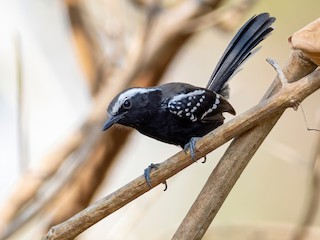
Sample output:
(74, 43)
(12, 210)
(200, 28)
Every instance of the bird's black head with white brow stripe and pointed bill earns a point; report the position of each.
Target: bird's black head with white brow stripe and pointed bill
(131, 107)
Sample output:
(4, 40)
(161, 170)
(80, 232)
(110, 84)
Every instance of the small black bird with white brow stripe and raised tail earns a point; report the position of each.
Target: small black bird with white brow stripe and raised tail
(180, 113)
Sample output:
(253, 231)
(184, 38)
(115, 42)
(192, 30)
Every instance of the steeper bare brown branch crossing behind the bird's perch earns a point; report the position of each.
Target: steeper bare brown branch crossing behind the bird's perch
(232, 163)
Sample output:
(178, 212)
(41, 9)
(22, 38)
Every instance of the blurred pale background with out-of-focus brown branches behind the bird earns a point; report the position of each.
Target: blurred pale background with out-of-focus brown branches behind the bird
(62, 62)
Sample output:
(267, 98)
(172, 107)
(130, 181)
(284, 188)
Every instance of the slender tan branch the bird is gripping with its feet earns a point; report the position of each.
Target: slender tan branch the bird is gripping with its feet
(264, 111)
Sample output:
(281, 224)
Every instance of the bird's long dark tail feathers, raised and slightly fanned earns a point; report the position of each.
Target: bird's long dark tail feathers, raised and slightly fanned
(240, 48)
